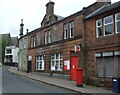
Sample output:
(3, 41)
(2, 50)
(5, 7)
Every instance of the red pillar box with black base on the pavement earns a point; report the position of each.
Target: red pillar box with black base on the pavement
(79, 81)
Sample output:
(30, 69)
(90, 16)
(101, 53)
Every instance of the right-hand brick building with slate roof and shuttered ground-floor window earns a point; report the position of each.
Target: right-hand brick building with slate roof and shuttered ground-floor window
(103, 45)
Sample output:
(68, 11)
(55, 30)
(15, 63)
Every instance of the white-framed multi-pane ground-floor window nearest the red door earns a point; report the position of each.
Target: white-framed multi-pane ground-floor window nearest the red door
(56, 62)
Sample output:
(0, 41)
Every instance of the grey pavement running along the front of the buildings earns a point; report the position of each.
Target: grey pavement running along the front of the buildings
(63, 82)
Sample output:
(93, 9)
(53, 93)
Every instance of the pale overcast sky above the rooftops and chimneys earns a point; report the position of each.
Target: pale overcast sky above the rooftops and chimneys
(33, 11)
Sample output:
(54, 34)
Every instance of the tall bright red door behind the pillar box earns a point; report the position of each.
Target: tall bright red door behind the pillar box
(73, 65)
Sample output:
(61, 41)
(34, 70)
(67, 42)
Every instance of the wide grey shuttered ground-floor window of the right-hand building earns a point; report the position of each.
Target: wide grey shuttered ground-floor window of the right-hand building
(106, 64)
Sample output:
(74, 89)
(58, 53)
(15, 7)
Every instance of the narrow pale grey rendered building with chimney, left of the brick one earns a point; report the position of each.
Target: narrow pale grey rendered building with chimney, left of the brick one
(23, 48)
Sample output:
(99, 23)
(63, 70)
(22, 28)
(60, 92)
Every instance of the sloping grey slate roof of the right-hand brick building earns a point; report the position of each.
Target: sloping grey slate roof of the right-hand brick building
(103, 9)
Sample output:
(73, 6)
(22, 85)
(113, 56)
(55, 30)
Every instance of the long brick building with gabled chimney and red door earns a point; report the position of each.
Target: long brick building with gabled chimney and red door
(51, 47)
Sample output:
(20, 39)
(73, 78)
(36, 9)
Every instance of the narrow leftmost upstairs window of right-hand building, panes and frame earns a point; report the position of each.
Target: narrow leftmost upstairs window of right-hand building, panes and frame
(99, 28)
